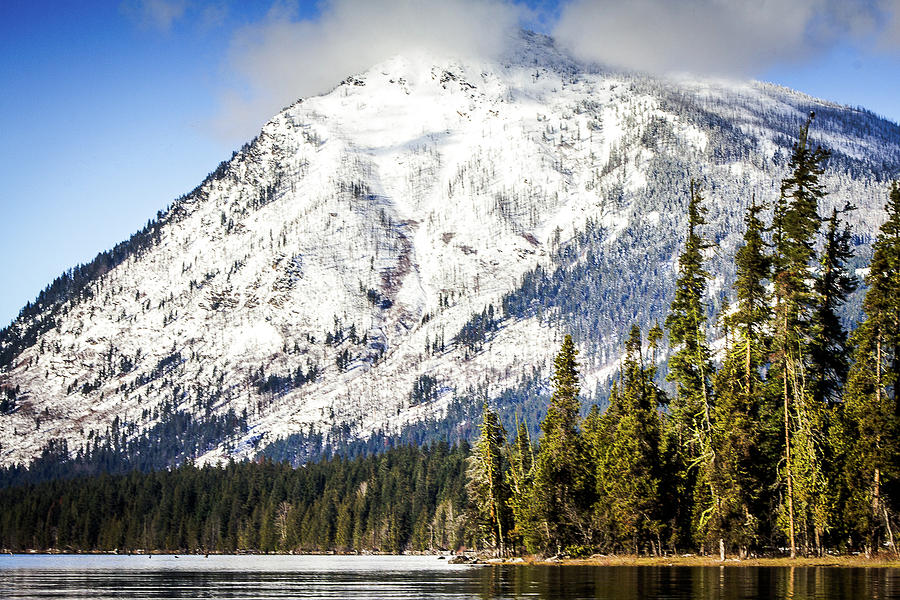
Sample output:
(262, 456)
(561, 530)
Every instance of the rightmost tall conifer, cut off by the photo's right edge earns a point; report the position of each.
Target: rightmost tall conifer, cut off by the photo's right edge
(872, 406)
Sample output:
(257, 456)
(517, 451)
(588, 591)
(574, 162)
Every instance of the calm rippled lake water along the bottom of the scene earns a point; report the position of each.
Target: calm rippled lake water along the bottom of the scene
(361, 577)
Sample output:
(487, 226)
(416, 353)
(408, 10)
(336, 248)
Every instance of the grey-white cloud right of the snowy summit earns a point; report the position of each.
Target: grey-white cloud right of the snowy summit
(734, 37)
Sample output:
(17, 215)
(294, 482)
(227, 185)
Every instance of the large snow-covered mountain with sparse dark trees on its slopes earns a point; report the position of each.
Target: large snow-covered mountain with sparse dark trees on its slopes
(426, 231)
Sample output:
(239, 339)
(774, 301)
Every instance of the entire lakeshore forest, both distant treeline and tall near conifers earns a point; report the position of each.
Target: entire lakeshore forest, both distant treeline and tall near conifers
(781, 435)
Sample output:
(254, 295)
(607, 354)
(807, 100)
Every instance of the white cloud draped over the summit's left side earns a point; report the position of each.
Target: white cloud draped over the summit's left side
(284, 58)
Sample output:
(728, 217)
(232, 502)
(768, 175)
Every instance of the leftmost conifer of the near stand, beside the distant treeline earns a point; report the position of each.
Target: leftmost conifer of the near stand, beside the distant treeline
(488, 491)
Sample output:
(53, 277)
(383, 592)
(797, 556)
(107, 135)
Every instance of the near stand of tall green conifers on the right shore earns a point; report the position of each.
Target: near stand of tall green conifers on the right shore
(787, 437)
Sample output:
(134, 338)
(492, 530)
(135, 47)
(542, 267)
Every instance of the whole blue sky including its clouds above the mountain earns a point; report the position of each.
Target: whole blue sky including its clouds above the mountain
(110, 110)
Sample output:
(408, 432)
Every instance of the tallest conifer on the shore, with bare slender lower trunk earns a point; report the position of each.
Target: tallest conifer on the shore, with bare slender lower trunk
(796, 224)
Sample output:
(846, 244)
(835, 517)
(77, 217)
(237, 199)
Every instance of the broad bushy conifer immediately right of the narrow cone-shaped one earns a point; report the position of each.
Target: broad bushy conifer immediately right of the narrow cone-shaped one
(627, 445)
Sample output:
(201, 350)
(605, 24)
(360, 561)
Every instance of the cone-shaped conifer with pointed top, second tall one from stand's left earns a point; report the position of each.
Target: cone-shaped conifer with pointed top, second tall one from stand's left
(561, 473)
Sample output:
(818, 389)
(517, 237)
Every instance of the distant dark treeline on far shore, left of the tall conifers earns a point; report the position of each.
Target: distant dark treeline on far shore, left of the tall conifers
(405, 499)
